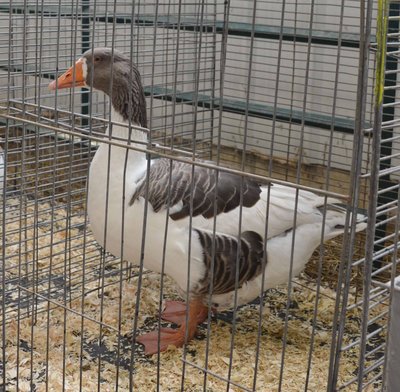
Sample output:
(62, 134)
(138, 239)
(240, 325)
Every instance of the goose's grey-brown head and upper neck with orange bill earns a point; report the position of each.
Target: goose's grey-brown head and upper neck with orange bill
(111, 72)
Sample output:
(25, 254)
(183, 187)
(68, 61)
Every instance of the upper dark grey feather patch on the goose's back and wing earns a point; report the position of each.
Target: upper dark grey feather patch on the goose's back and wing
(172, 182)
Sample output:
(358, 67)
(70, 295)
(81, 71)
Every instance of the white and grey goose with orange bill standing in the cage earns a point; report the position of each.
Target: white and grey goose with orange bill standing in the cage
(167, 191)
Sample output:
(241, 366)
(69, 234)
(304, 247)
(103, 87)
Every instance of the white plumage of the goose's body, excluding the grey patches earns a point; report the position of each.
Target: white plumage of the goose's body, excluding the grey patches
(282, 207)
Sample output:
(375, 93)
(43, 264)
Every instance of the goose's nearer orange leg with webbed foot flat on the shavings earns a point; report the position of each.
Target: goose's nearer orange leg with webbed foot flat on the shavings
(175, 337)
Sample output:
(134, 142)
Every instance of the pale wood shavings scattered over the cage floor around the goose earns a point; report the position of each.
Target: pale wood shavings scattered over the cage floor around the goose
(87, 338)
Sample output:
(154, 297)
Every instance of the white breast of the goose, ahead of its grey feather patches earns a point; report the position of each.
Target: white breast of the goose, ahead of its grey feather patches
(114, 222)
